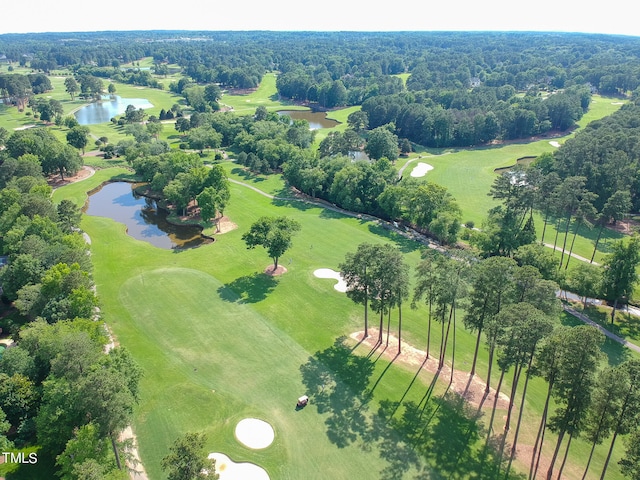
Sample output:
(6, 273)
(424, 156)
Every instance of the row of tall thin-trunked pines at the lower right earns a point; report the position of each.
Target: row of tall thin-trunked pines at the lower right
(512, 309)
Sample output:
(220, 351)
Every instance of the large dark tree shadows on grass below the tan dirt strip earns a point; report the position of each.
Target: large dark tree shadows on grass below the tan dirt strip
(439, 437)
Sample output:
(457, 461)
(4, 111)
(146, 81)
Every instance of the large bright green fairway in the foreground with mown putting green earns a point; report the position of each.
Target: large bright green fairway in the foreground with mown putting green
(219, 341)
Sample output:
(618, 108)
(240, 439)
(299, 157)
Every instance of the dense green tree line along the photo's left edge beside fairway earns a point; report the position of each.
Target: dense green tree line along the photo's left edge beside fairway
(58, 389)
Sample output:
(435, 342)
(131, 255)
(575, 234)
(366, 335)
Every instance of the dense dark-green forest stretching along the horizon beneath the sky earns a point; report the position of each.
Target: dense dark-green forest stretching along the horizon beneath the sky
(462, 89)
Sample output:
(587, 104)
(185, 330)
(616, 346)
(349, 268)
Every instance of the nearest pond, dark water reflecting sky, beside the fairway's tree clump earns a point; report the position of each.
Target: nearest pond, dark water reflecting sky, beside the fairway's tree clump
(143, 219)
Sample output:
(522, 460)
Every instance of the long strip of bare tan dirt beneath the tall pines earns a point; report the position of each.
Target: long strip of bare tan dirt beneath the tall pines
(471, 389)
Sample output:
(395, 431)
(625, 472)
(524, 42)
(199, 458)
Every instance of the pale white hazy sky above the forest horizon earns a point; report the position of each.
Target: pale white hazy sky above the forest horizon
(616, 17)
